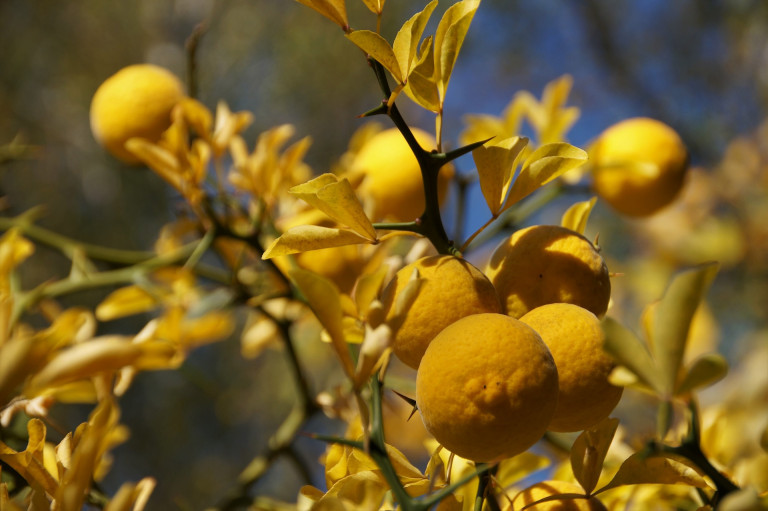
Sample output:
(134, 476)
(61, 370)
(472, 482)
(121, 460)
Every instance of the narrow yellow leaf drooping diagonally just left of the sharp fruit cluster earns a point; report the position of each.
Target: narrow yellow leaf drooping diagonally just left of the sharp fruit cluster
(324, 299)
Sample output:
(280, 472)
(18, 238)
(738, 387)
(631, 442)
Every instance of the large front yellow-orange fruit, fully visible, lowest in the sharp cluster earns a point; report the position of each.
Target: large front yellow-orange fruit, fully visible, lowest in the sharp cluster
(487, 387)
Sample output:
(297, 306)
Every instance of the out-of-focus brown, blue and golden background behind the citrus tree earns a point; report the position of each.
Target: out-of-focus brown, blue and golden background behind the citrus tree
(698, 65)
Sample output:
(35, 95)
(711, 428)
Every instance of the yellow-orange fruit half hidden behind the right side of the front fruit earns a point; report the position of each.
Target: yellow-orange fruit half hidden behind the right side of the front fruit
(575, 339)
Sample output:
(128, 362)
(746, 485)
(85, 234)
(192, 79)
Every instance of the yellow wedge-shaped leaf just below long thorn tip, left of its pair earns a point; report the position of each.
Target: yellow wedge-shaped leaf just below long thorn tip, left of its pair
(496, 164)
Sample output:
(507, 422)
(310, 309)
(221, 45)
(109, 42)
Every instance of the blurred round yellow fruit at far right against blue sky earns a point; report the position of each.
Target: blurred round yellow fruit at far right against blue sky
(639, 166)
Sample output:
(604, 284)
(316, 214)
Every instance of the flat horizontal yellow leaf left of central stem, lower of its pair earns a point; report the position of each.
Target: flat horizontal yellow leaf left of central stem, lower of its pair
(305, 238)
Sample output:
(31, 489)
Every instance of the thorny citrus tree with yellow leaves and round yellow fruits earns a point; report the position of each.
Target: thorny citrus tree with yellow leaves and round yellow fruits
(514, 359)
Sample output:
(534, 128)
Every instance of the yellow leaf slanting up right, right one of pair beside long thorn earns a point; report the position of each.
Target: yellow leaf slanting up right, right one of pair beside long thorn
(542, 166)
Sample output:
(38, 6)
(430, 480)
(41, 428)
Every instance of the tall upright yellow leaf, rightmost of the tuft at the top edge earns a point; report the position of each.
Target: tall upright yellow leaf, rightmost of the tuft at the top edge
(449, 38)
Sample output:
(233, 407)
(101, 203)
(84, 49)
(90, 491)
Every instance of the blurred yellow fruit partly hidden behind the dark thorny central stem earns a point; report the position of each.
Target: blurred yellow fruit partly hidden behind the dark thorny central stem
(392, 177)
